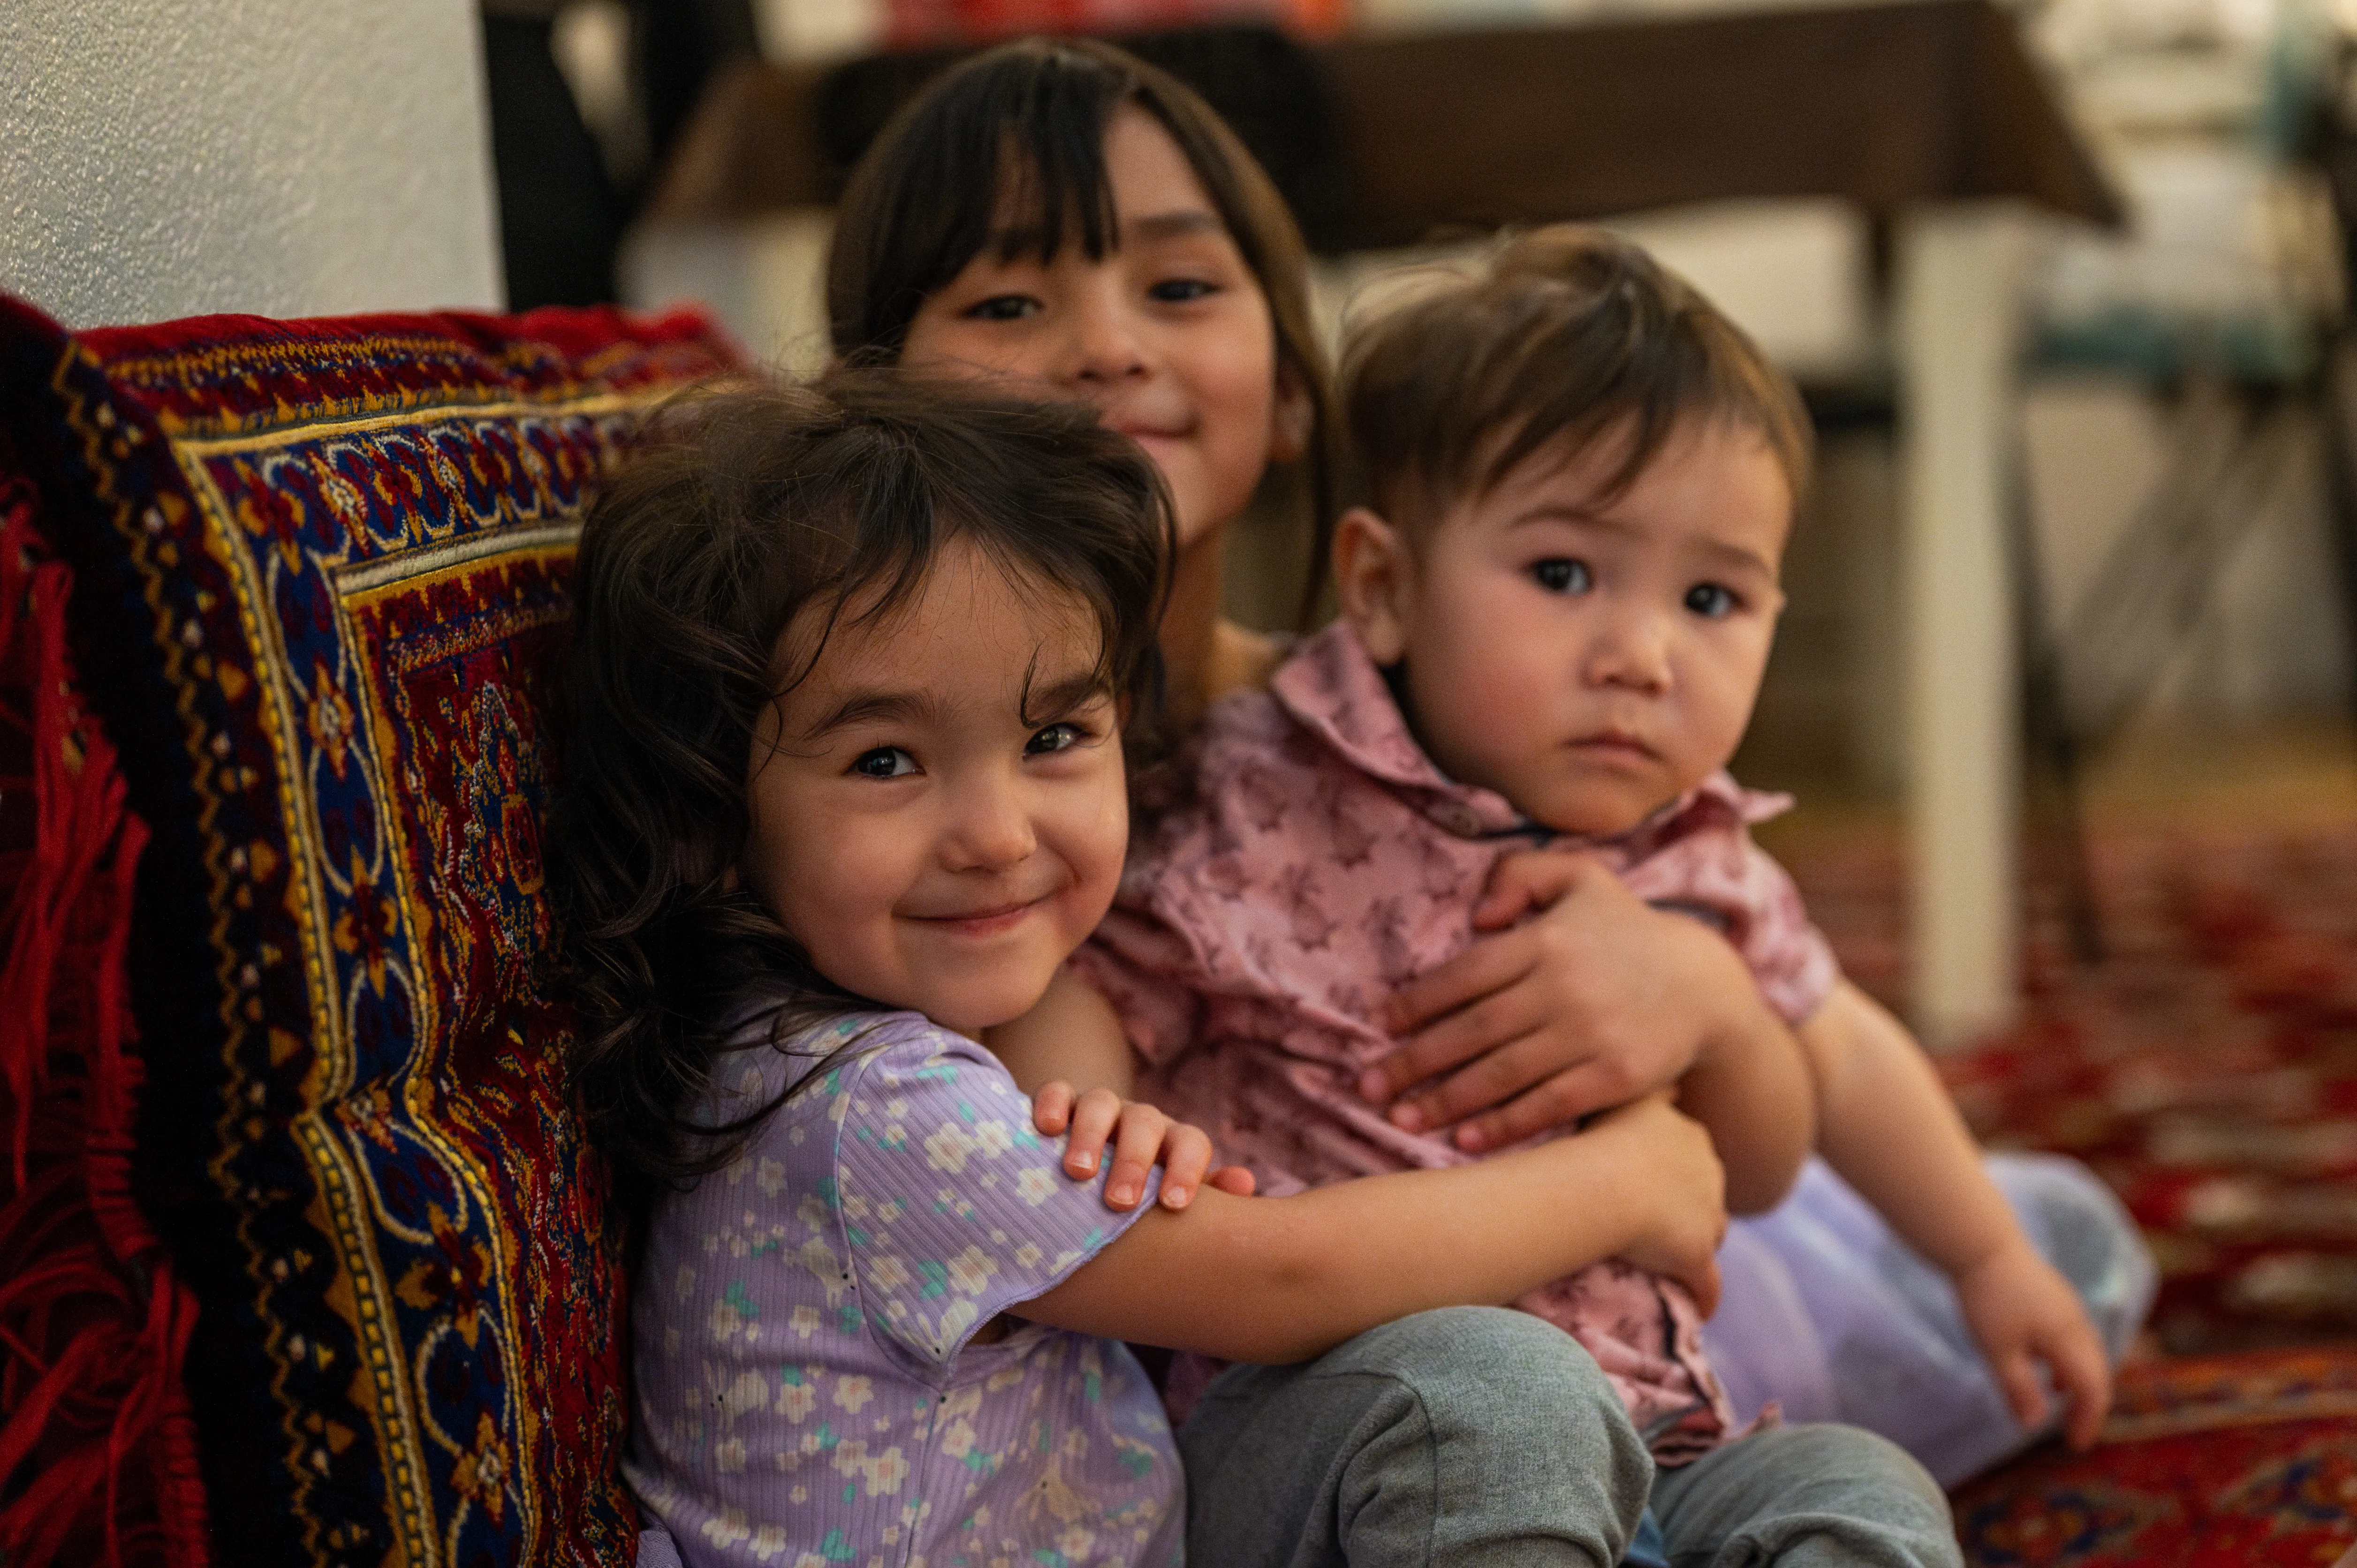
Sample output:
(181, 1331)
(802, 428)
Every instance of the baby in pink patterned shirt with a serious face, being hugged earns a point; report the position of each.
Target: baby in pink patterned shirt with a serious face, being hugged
(1554, 624)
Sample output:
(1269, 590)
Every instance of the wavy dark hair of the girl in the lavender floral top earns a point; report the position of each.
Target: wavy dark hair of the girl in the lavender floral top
(741, 513)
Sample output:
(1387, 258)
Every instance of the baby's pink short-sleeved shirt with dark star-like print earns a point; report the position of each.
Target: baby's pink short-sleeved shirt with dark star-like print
(1316, 867)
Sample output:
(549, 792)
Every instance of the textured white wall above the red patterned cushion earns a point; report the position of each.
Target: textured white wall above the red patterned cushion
(275, 157)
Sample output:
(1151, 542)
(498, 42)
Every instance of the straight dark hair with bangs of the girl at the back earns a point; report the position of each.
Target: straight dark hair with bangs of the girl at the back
(1034, 117)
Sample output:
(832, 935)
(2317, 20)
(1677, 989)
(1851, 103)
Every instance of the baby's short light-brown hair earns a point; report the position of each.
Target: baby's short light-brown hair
(1564, 338)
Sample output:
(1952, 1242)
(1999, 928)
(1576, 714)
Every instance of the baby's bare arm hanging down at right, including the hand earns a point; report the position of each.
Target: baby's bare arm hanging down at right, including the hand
(1887, 1124)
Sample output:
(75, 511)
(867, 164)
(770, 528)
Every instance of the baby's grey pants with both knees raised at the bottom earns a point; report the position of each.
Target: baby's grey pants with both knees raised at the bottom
(1479, 1437)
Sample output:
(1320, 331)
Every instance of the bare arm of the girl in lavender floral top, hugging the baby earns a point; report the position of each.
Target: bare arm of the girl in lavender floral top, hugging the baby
(1286, 1279)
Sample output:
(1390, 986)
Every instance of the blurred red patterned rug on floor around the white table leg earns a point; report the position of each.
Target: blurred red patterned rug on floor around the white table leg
(2207, 1067)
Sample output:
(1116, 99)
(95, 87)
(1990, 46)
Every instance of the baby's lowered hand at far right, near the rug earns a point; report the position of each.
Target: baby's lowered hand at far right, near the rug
(2023, 1312)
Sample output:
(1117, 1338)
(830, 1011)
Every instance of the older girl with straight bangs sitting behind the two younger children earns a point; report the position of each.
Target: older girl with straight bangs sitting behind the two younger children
(1071, 220)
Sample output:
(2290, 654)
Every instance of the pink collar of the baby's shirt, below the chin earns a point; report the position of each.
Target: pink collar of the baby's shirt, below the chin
(1335, 690)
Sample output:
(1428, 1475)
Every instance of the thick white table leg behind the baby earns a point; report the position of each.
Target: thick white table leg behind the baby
(1957, 341)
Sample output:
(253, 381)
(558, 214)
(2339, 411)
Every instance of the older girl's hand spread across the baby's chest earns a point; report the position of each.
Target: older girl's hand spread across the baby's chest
(1590, 1006)
